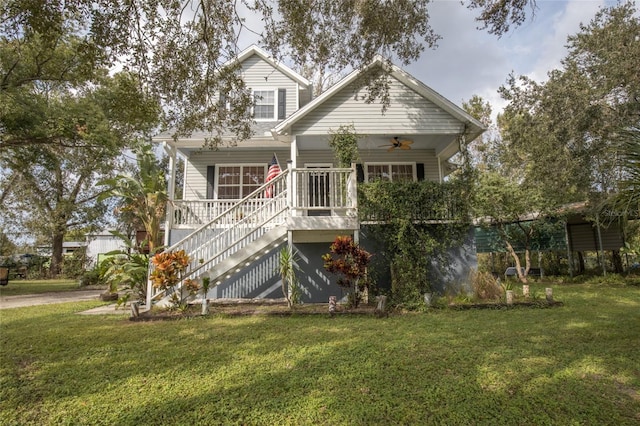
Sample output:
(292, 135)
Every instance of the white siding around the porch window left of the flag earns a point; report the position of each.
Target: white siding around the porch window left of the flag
(195, 182)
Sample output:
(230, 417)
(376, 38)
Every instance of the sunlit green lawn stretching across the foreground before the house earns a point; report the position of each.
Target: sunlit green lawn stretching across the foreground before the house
(575, 364)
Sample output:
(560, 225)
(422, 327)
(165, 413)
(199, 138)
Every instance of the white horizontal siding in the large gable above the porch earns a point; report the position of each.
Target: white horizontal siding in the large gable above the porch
(408, 113)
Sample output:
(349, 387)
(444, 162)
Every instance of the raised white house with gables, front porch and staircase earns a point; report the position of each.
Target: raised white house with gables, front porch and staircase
(234, 216)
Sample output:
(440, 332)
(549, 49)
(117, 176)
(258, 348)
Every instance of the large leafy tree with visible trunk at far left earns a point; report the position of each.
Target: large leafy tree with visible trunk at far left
(57, 142)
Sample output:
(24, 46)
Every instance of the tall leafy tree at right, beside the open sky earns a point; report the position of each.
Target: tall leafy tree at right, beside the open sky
(564, 130)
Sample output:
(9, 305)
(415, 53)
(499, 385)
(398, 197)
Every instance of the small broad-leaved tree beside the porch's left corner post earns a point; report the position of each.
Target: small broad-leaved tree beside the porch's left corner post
(144, 195)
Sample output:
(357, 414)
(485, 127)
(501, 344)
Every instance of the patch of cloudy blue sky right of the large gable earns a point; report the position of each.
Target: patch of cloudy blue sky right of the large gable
(469, 61)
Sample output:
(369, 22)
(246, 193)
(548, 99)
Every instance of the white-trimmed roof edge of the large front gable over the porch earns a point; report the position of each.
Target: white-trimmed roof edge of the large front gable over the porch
(474, 127)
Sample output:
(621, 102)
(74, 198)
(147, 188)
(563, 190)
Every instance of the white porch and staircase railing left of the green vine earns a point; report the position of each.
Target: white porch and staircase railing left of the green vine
(227, 226)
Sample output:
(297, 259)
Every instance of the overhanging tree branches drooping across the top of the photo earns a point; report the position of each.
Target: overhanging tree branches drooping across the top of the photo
(183, 50)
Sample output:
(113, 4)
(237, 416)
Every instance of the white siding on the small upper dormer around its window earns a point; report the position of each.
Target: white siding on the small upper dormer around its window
(258, 74)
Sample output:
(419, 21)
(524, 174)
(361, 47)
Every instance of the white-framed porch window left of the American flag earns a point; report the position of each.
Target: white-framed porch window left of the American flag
(236, 182)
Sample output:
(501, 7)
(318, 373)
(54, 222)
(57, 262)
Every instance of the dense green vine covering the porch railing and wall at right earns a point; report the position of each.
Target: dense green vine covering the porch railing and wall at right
(417, 223)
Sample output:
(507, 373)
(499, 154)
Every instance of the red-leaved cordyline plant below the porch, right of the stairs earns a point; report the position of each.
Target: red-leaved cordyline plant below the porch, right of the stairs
(350, 262)
